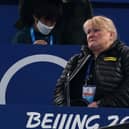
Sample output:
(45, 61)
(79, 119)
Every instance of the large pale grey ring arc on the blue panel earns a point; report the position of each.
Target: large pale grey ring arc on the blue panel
(22, 63)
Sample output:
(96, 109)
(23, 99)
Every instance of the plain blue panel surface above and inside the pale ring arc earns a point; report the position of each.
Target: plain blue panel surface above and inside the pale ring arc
(34, 83)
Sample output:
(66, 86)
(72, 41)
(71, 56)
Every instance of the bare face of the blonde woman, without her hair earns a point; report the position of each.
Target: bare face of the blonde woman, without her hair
(99, 39)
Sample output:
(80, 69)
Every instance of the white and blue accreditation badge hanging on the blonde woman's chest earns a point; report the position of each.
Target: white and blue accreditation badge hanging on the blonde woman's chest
(88, 92)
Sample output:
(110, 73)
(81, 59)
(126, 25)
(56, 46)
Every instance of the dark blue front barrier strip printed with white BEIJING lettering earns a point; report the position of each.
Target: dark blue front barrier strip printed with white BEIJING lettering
(50, 117)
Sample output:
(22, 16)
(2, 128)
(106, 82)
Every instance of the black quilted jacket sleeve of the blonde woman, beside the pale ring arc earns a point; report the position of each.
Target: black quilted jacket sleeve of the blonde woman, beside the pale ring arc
(59, 92)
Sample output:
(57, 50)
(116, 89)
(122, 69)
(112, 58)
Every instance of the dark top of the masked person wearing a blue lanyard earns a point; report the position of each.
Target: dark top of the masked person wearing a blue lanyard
(24, 37)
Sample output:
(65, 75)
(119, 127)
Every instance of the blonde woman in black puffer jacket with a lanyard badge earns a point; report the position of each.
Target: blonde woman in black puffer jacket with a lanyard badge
(99, 75)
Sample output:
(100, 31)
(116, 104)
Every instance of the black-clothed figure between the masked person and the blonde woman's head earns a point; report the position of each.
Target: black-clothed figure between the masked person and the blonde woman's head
(70, 26)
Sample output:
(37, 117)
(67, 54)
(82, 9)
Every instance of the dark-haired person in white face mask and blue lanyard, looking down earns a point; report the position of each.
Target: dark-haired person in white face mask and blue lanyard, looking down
(38, 19)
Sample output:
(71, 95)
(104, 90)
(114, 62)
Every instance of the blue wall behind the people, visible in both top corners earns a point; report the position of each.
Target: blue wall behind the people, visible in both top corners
(117, 10)
